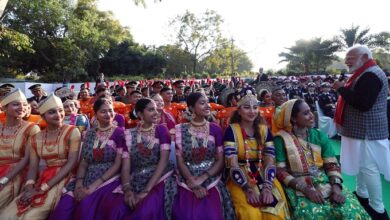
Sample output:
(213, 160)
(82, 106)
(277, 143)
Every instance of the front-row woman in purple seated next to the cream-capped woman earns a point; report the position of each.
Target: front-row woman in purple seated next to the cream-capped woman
(98, 172)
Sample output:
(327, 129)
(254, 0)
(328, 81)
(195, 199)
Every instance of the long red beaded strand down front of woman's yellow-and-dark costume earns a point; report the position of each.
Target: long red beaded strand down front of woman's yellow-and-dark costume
(252, 175)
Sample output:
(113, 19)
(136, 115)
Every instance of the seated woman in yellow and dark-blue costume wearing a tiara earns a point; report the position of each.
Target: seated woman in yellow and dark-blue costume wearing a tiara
(250, 162)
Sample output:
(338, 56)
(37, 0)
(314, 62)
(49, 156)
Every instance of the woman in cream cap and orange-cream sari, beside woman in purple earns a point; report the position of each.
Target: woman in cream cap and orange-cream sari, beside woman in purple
(58, 146)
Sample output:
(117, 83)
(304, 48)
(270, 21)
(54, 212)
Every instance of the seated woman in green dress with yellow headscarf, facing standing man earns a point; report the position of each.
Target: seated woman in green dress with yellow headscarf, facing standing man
(308, 168)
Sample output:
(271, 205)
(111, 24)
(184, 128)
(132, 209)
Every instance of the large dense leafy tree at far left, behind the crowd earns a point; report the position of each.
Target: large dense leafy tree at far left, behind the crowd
(68, 41)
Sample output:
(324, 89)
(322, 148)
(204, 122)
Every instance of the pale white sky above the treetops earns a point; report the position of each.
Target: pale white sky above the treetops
(263, 28)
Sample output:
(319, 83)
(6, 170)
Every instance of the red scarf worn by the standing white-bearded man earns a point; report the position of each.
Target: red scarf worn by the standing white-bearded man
(338, 117)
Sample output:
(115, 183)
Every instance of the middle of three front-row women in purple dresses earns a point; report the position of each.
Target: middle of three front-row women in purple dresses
(148, 186)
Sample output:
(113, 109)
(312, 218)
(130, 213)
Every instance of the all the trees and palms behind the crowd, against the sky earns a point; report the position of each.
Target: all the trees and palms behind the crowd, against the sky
(67, 40)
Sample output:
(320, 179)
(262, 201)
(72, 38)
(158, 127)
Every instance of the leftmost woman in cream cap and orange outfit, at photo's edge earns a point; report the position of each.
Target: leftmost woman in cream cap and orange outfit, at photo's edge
(15, 133)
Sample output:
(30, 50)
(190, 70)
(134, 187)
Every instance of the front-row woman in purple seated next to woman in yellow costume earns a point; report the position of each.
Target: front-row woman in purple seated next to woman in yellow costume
(200, 159)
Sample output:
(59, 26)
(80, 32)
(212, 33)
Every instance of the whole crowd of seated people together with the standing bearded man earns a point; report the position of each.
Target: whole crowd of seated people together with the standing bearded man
(224, 149)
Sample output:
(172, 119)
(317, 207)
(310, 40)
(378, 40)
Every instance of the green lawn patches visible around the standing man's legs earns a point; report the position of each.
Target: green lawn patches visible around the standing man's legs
(350, 182)
